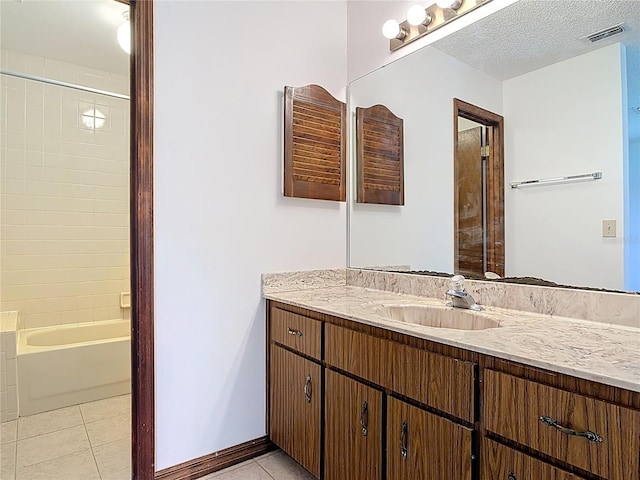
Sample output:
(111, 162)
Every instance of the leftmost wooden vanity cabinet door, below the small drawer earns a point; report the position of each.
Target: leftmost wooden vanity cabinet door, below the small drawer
(296, 398)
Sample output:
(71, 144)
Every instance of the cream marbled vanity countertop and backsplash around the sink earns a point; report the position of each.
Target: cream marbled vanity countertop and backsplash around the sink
(592, 350)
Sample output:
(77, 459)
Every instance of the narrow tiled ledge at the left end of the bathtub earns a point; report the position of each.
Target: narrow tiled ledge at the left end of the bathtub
(8, 367)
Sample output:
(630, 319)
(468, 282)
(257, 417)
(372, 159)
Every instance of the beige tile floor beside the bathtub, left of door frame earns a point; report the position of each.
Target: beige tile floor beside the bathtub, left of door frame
(91, 441)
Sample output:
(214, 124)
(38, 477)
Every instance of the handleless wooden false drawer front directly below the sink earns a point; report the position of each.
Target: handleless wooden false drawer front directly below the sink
(444, 383)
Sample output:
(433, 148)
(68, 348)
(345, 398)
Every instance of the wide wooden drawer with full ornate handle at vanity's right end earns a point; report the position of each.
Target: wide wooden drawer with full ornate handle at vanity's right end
(555, 422)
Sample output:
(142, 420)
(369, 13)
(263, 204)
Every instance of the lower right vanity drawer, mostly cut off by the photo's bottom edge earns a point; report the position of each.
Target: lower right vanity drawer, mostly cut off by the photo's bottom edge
(504, 463)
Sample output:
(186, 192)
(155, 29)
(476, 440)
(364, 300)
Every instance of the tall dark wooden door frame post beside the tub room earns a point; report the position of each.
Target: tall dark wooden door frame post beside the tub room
(141, 208)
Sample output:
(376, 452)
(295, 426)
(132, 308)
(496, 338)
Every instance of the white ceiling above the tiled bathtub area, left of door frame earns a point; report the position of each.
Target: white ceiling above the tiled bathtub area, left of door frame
(80, 32)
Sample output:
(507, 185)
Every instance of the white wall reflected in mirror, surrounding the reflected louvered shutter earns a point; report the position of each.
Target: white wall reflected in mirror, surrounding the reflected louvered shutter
(420, 90)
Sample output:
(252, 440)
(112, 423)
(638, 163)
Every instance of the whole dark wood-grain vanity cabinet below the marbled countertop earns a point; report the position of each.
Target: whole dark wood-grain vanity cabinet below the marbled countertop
(354, 401)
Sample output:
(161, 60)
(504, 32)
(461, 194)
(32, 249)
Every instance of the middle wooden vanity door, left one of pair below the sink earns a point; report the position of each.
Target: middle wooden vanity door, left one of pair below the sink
(353, 429)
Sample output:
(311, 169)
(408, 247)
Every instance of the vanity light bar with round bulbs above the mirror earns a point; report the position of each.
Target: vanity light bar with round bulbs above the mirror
(421, 21)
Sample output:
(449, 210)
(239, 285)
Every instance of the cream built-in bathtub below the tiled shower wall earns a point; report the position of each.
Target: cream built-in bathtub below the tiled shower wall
(70, 364)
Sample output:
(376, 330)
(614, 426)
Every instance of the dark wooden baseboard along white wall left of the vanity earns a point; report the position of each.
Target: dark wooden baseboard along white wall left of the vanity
(213, 462)
